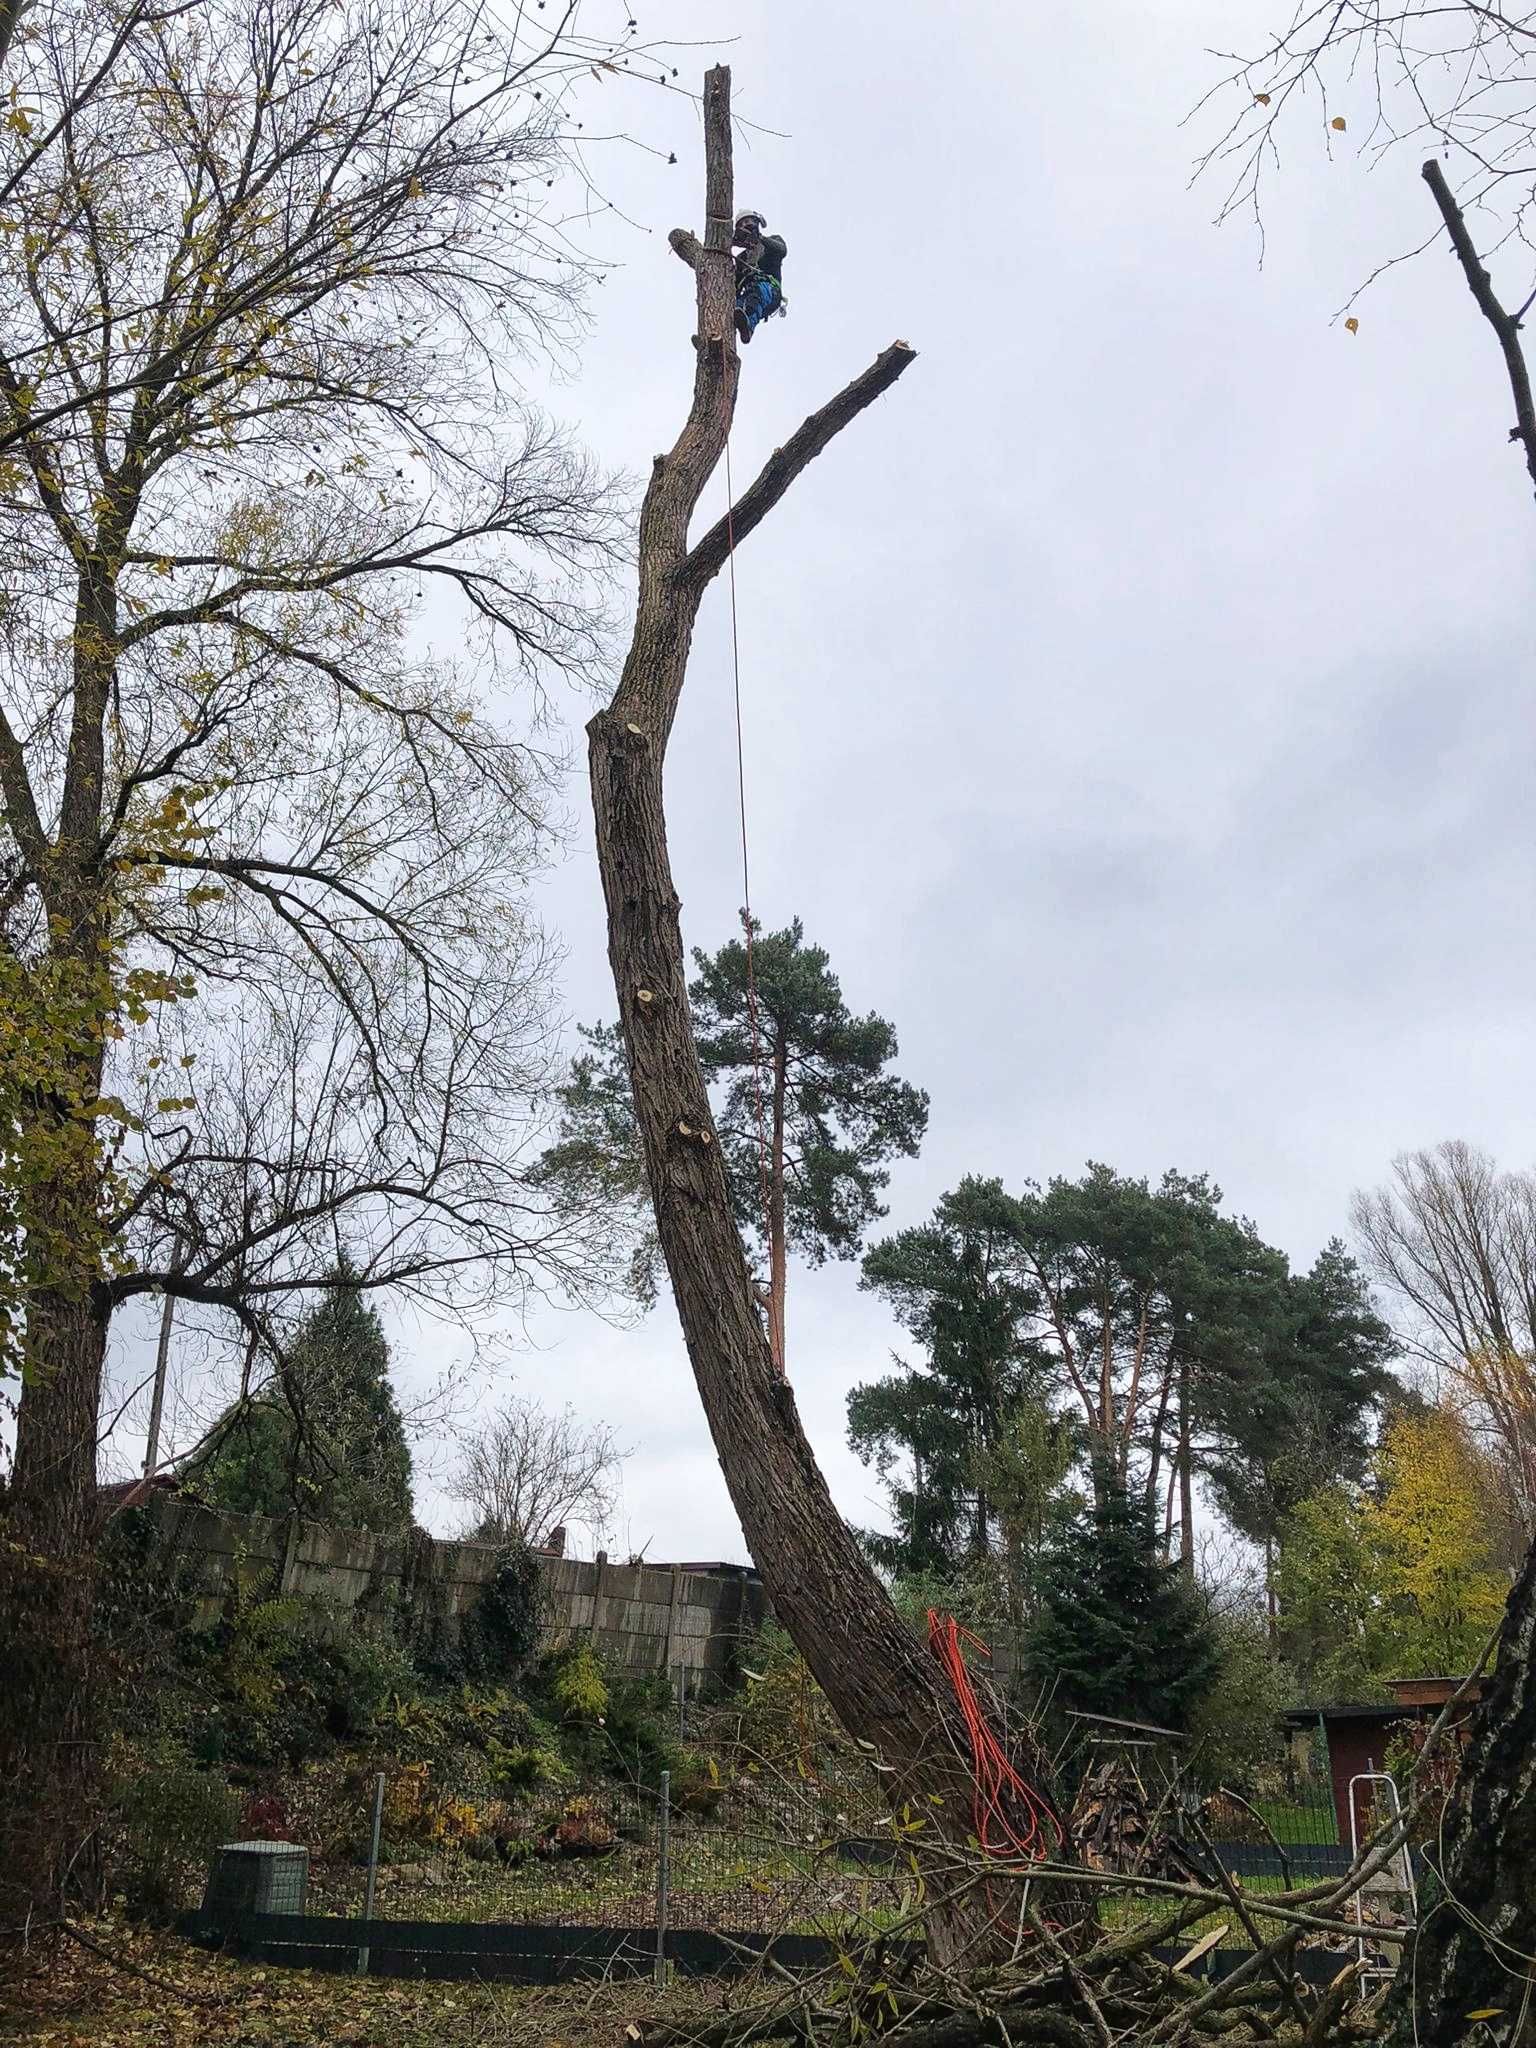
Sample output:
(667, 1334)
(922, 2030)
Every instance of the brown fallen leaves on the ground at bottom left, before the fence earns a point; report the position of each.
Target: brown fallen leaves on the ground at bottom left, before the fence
(67, 1998)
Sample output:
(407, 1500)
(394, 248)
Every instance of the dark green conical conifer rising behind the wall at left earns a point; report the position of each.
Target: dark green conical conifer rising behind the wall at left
(327, 1439)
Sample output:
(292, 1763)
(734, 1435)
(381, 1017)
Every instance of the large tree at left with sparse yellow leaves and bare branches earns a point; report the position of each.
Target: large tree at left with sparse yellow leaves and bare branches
(269, 978)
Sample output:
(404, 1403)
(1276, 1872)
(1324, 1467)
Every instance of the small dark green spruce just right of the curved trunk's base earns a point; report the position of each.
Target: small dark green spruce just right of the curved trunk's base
(1119, 1631)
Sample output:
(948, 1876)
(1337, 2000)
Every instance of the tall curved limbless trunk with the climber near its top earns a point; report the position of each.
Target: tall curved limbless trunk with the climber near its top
(882, 1682)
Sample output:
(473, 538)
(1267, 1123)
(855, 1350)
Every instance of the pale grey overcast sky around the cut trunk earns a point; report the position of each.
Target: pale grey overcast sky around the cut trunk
(1138, 699)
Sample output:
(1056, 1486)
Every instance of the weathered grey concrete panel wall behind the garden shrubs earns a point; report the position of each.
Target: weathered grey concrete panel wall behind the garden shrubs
(646, 1617)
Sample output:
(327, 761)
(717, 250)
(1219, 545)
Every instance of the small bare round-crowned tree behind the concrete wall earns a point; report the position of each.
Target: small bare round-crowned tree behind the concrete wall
(531, 1471)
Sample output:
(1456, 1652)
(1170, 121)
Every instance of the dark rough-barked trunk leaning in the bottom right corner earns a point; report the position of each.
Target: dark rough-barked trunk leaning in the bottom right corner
(1478, 1926)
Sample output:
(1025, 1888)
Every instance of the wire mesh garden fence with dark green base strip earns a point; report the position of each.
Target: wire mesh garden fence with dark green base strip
(726, 1854)
